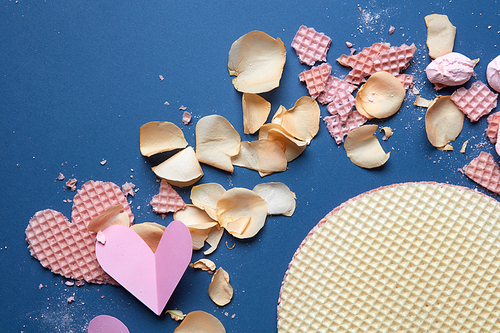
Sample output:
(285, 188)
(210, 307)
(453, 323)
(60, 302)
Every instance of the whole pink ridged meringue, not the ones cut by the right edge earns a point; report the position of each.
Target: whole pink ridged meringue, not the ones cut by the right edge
(452, 69)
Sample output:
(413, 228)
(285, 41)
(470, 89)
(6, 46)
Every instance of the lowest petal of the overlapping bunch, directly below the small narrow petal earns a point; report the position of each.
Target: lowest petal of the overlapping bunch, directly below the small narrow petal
(262, 155)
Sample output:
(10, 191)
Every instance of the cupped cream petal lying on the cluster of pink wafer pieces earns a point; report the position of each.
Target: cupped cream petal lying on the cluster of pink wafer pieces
(381, 96)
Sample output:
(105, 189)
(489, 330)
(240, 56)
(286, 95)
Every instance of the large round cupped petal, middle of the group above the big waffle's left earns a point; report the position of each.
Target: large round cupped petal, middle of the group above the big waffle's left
(239, 203)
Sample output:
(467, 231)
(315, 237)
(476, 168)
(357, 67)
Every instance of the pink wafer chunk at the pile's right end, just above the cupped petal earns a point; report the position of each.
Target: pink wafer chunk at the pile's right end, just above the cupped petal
(394, 59)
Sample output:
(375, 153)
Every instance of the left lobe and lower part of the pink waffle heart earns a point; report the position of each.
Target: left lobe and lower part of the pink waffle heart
(65, 248)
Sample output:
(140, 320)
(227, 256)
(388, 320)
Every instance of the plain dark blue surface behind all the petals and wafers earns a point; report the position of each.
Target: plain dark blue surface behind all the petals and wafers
(78, 79)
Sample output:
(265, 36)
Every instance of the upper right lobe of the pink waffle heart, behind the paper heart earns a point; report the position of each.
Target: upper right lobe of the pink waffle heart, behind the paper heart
(94, 198)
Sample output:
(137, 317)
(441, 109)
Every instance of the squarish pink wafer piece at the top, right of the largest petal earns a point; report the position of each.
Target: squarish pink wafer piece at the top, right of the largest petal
(310, 46)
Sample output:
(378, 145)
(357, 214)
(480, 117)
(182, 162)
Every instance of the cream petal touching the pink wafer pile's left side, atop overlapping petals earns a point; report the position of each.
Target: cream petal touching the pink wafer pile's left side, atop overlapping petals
(302, 120)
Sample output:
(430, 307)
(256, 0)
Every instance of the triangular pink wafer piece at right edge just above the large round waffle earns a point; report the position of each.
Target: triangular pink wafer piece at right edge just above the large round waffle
(484, 171)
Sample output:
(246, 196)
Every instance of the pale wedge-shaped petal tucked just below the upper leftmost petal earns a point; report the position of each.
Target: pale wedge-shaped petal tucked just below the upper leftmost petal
(182, 169)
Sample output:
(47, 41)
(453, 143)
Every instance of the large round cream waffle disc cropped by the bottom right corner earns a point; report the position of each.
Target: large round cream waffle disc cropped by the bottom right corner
(417, 257)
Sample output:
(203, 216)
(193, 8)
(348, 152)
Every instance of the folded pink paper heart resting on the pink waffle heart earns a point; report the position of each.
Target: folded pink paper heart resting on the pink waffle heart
(150, 277)
